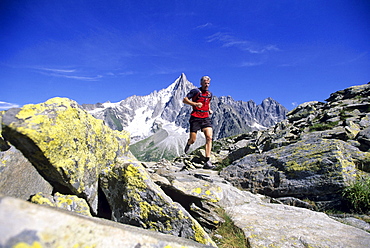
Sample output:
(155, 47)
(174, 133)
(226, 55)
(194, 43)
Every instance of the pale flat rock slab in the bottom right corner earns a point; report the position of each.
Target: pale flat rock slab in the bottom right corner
(275, 225)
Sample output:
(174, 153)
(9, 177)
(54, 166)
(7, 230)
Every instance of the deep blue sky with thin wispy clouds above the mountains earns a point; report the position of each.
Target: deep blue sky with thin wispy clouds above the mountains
(97, 51)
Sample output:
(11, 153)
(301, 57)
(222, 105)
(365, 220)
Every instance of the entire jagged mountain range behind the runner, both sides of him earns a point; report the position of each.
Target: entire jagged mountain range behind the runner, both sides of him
(158, 122)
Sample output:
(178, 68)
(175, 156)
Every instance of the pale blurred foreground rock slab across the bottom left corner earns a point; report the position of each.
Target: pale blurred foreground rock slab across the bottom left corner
(24, 223)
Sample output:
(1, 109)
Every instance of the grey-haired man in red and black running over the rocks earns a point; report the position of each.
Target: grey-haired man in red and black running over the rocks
(200, 100)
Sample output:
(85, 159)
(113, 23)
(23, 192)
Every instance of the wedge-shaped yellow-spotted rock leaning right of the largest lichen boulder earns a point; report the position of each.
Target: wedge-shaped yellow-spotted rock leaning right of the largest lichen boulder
(135, 199)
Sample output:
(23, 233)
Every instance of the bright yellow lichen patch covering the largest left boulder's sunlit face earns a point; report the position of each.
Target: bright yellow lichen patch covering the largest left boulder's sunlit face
(59, 125)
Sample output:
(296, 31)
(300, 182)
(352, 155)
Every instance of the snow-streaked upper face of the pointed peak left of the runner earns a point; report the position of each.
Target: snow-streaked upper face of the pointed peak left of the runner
(142, 116)
